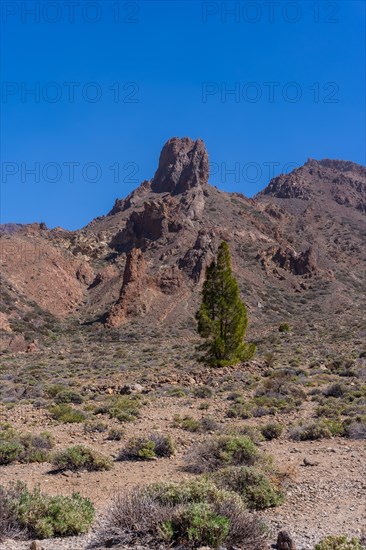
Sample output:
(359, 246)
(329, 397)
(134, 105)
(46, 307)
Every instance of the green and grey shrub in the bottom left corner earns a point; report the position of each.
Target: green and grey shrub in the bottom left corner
(41, 516)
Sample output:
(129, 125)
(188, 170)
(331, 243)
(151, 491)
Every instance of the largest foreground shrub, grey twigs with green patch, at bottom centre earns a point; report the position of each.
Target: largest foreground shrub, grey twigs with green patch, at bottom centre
(189, 514)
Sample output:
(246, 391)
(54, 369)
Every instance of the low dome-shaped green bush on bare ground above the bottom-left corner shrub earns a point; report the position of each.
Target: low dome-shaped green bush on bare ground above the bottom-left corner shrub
(80, 457)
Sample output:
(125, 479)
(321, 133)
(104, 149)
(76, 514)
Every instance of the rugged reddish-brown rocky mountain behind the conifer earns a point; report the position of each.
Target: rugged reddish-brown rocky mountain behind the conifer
(297, 251)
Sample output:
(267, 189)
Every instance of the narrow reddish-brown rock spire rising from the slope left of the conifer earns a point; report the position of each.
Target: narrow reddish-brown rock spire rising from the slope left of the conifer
(130, 302)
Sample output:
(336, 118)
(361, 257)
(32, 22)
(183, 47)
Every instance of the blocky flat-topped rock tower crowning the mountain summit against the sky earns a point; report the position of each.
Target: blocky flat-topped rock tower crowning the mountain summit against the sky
(183, 164)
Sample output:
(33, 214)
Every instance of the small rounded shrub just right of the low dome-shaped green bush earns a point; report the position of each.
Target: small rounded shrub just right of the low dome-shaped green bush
(148, 448)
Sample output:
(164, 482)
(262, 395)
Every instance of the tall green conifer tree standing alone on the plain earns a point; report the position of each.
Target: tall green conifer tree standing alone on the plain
(222, 317)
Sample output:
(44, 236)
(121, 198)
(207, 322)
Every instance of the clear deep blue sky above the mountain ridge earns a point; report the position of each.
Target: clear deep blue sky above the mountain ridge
(173, 62)
